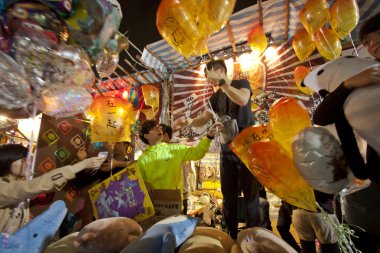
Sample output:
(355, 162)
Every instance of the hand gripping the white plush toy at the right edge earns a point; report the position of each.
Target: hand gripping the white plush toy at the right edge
(364, 78)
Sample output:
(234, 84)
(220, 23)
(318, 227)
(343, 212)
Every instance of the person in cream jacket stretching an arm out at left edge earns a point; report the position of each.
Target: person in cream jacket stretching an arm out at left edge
(14, 189)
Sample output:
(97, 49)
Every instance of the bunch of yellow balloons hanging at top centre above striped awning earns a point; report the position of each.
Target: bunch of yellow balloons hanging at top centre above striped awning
(187, 24)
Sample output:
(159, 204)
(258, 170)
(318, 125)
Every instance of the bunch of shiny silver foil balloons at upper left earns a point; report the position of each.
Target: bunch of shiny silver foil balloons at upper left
(47, 49)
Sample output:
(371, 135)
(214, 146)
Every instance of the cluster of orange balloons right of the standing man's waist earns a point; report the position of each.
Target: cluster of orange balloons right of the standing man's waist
(267, 152)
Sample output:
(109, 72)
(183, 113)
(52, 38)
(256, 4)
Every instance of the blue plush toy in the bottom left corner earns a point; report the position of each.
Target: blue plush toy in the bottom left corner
(34, 237)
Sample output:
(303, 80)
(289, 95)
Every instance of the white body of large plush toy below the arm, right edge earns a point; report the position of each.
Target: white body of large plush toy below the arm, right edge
(362, 112)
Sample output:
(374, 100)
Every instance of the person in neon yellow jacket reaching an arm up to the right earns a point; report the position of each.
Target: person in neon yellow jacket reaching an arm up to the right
(161, 163)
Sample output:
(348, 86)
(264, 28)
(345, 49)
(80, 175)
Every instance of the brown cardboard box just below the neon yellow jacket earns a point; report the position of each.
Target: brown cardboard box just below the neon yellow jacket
(166, 203)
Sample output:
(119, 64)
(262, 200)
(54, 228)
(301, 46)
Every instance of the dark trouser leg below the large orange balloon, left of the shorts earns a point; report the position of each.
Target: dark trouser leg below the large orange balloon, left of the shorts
(283, 225)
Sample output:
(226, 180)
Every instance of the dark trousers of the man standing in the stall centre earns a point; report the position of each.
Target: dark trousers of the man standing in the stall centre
(235, 178)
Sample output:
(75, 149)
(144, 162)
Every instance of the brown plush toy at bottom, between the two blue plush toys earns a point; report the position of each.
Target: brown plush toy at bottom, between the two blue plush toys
(107, 235)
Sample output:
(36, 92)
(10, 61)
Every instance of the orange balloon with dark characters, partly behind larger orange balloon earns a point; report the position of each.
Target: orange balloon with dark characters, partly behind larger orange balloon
(244, 140)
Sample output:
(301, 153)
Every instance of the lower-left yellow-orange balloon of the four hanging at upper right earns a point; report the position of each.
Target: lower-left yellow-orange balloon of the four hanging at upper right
(303, 44)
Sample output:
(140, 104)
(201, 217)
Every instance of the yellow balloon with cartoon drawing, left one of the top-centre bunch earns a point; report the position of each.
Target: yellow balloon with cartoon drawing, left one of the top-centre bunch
(176, 25)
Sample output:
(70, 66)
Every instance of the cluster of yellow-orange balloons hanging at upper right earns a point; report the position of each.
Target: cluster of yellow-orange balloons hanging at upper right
(343, 18)
